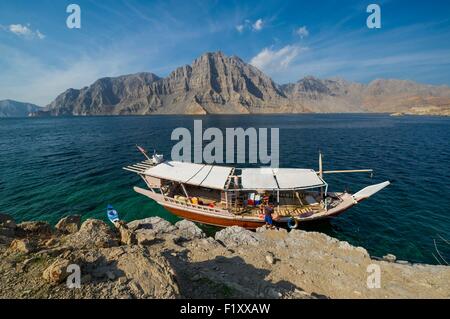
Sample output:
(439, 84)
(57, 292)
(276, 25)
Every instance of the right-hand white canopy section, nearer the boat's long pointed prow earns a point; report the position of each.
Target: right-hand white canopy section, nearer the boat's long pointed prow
(280, 178)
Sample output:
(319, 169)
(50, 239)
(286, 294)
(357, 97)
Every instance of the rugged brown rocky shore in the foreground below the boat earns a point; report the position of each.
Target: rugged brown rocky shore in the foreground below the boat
(151, 258)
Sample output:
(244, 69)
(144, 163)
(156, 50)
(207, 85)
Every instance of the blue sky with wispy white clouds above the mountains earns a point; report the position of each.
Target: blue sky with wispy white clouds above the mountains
(40, 57)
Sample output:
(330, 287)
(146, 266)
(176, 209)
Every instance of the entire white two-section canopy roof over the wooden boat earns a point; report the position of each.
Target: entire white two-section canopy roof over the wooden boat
(217, 177)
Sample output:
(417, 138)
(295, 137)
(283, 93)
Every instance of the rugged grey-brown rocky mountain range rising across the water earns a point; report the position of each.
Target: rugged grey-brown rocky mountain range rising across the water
(218, 84)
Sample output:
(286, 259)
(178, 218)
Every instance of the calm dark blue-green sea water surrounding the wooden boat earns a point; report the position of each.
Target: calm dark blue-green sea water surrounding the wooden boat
(51, 167)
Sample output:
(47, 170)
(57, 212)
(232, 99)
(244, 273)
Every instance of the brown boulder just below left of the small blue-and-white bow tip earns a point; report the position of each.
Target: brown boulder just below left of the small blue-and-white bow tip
(93, 233)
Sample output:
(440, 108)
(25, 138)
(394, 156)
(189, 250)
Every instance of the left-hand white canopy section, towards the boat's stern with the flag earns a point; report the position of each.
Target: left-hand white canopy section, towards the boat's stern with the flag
(190, 173)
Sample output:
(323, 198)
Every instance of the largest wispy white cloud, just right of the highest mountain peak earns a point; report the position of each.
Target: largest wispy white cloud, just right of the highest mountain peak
(269, 59)
